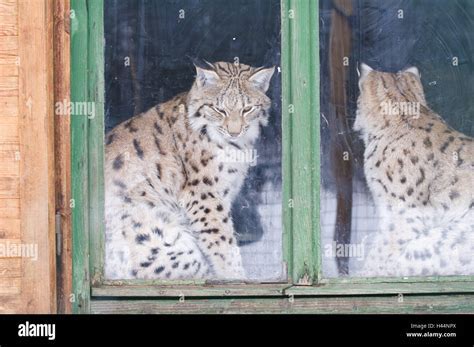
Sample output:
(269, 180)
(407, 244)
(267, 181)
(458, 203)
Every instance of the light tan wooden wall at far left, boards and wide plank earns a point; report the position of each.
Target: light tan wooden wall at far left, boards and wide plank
(26, 157)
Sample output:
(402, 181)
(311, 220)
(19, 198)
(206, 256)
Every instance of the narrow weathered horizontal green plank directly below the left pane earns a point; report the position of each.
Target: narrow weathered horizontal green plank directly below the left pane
(190, 290)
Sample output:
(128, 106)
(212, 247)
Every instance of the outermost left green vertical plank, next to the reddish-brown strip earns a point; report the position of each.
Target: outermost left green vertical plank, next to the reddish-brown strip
(79, 159)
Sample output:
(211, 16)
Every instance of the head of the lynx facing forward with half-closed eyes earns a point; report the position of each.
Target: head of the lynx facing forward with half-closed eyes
(229, 101)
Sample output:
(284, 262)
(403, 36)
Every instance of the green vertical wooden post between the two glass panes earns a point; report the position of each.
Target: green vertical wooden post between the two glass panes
(304, 101)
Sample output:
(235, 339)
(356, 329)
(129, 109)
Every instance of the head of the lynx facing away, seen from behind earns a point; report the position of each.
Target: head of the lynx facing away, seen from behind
(387, 98)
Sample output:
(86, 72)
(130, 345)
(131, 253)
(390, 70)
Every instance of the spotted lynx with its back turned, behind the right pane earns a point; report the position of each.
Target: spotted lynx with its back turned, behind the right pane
(420, 173)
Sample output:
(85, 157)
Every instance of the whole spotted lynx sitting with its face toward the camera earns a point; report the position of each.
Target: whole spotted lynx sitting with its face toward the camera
(168, 192)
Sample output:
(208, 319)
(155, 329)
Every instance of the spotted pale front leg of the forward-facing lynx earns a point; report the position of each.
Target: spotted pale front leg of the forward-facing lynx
(210, 218)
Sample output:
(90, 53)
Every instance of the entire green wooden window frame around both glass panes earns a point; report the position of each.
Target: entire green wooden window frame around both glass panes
(306, 289)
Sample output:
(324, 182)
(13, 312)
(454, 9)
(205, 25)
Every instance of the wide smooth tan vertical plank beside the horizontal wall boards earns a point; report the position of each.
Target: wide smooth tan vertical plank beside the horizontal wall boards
(36, 131)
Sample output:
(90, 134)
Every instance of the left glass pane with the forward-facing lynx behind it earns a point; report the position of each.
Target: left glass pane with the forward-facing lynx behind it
(193, 144)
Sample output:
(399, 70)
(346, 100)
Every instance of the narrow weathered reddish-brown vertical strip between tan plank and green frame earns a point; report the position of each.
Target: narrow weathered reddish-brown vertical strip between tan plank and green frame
(62, 73)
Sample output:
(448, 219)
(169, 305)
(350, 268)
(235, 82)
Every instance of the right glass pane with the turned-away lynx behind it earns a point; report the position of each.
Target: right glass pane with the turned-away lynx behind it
(397, 150)
